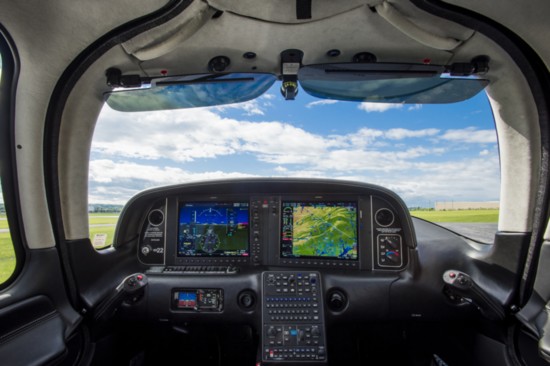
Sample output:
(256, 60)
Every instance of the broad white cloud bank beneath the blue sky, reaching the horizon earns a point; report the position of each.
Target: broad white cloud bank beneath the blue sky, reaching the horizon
(140, 150)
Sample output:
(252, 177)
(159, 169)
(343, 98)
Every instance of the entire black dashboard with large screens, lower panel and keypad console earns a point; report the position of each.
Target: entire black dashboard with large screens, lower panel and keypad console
(293, 259)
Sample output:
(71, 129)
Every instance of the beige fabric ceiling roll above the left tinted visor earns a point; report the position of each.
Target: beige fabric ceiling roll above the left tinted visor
(167, 36)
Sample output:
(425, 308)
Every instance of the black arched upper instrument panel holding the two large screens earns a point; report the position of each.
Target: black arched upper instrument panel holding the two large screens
(276, 222)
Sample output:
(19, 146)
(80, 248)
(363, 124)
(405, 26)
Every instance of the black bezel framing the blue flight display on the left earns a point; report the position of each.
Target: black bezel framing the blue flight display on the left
(205, 257)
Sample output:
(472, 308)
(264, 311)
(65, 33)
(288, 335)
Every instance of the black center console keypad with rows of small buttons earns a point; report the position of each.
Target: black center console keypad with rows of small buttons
(292, 317)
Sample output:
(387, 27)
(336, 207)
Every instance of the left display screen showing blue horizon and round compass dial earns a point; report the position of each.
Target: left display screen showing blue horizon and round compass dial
(209, 229)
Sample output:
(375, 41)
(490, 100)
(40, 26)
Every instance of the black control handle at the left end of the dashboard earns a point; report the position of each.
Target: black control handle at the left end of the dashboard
(126, 290)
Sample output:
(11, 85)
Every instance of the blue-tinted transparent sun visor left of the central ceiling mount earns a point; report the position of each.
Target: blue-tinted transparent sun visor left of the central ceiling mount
(191, 91)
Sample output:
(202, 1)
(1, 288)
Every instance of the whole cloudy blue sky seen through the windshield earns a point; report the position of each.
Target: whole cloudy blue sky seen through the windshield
(425, 153)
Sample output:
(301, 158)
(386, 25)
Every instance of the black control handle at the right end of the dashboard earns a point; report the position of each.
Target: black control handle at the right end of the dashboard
(463, 285)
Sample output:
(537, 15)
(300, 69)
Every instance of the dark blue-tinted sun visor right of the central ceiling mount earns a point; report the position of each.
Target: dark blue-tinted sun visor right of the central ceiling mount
(388, 83)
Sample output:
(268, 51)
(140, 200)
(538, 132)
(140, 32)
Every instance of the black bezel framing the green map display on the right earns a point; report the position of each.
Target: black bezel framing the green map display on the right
(308, 201)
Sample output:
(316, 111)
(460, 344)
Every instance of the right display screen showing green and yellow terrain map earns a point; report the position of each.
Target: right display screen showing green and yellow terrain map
(319, 230)
